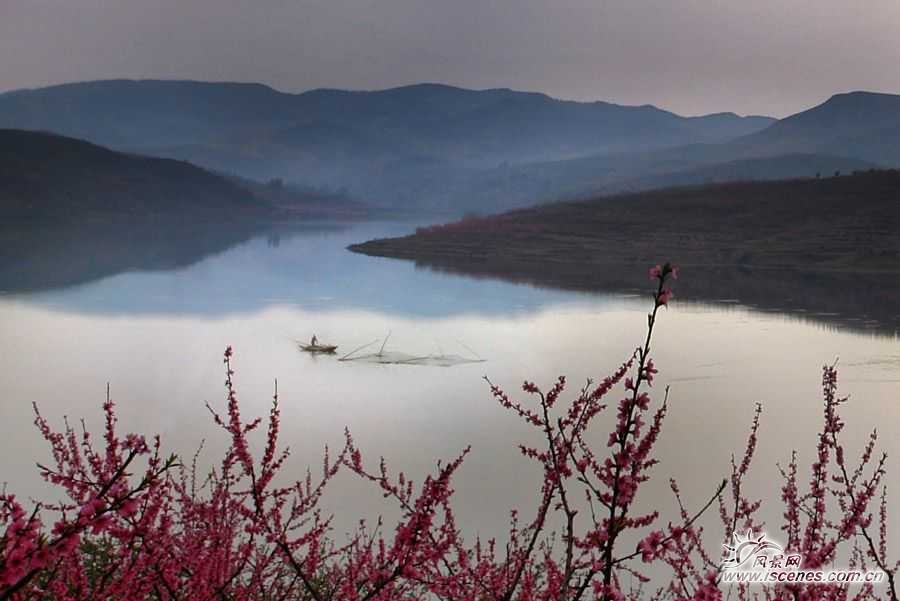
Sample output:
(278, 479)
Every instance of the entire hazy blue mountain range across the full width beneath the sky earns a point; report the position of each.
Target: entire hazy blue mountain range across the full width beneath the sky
(439, 148)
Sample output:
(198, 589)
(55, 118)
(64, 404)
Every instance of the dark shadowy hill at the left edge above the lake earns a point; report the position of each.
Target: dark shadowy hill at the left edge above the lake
(48, 176)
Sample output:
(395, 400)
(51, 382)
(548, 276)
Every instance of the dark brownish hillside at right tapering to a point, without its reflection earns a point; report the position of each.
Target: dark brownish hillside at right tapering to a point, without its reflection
(833, 223)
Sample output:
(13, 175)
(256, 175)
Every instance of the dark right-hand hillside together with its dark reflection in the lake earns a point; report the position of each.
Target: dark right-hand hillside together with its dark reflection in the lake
(825, 249)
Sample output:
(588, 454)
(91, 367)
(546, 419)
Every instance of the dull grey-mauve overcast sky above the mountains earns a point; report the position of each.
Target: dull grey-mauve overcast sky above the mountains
(771, 57)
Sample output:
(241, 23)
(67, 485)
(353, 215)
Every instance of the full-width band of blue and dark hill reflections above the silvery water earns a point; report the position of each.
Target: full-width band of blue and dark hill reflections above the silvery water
(176, 269)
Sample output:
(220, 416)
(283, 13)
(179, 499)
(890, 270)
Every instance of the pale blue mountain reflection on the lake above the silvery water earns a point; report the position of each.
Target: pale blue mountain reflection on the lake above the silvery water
(303, 267)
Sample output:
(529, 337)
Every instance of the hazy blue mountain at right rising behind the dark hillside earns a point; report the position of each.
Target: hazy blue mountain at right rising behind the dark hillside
(848, 132)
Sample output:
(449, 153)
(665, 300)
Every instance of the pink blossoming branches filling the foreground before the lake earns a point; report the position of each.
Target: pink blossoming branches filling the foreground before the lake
(138, 524)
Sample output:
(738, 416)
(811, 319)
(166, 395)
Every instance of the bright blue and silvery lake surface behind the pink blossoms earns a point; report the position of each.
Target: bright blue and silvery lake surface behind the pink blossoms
(157, 334)
